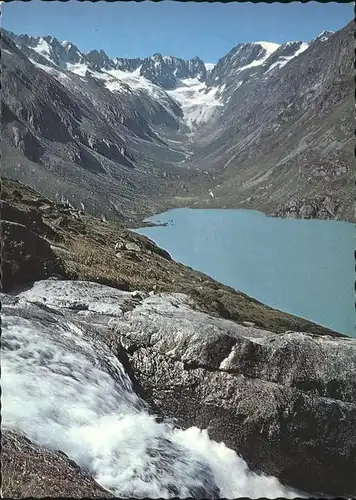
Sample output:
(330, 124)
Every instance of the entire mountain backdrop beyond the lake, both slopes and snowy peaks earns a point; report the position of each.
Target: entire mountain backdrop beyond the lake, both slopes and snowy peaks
(269, 127)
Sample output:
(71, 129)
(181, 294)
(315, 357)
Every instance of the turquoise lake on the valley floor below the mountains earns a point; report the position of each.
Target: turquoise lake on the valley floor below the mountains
(304, 267)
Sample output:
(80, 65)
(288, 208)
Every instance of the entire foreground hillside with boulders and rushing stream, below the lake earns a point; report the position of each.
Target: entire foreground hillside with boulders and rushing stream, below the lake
(83, 289)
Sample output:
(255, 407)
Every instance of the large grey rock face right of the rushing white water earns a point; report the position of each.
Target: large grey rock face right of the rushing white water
(285, 402)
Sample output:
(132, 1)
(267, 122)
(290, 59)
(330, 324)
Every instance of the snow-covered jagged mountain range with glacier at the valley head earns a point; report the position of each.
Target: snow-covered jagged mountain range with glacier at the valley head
(189, 93)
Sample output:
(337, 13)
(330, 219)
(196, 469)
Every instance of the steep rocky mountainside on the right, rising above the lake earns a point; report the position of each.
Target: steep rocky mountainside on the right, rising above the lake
(288, 123)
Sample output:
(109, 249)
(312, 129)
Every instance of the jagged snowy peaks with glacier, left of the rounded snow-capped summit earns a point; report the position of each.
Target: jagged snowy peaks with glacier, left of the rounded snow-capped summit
(150, 84)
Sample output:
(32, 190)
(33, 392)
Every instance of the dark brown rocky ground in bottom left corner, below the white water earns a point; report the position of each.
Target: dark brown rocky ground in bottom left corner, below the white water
(29, 470)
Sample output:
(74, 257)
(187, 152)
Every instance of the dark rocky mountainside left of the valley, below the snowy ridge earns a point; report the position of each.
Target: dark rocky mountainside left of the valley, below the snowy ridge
(73, 138)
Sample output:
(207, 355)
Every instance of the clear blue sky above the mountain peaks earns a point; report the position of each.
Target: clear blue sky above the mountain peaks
(130, 29)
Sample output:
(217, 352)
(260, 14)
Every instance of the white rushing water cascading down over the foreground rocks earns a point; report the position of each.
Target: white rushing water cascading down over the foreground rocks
(67, 391)
